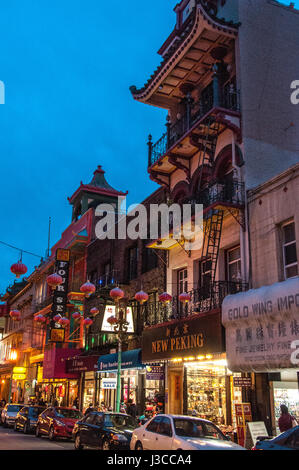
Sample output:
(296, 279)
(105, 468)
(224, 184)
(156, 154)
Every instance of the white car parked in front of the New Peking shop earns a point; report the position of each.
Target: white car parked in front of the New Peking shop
(170, 432)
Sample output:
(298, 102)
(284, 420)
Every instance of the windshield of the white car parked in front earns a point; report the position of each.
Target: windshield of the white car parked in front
(196, 428)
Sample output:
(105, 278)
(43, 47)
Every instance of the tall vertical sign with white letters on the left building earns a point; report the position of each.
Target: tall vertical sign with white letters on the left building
(59, 305)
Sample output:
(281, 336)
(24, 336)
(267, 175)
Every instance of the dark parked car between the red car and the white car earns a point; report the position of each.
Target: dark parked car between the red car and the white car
(107, 431)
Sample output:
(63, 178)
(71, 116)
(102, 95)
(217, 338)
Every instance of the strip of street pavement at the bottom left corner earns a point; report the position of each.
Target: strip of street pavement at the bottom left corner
(10, 440)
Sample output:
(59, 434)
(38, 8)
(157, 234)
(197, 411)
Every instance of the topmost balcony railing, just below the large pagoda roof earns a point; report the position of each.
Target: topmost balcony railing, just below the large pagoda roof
(228, 99)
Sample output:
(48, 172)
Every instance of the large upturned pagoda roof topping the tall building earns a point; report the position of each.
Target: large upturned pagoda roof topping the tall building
(175, 52)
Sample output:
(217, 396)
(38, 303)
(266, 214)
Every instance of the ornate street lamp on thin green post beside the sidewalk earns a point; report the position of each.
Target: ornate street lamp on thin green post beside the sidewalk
(120, 326)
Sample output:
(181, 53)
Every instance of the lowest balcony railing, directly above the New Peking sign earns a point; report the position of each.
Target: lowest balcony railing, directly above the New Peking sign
(202, 300)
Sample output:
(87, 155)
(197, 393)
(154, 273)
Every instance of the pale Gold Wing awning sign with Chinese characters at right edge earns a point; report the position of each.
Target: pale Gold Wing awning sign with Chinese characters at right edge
(262, 327)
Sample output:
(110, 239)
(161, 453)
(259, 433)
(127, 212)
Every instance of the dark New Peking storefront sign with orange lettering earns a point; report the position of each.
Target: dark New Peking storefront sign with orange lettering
(183, 338)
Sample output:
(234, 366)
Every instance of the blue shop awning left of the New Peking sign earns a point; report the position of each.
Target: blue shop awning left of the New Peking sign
(129, 360)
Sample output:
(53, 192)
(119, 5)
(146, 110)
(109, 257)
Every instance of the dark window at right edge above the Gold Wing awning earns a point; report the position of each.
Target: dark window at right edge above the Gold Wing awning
(290, 261)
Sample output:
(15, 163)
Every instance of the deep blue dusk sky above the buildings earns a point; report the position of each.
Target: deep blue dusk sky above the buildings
(67, 68)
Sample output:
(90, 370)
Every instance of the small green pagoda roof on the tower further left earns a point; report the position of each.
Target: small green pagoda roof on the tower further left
(98, 185)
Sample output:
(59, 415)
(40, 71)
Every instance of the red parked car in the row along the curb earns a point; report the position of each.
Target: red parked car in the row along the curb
(57, 422)
